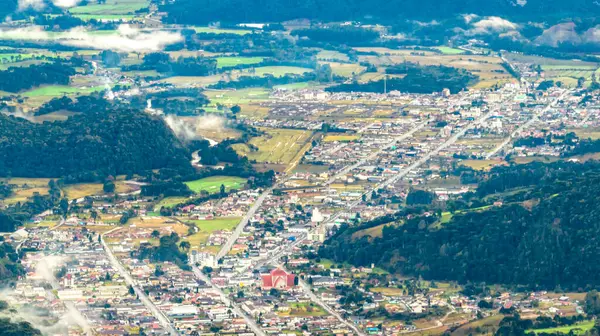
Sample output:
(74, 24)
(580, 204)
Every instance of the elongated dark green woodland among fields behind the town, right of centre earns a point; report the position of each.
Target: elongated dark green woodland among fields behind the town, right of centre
(417, 79)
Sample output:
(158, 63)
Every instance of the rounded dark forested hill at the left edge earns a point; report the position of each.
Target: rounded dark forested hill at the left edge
(89, 146)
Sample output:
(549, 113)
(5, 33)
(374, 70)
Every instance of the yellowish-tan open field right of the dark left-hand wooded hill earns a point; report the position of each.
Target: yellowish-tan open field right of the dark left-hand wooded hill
(276, 146)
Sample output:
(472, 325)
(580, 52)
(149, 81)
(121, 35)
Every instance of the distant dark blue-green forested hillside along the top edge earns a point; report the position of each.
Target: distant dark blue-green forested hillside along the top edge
(205, 11)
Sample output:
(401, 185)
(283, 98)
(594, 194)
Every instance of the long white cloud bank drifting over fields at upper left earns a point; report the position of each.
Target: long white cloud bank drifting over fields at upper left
(126, 38)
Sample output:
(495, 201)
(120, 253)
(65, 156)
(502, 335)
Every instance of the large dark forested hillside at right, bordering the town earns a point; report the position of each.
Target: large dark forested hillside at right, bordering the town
(545, 236)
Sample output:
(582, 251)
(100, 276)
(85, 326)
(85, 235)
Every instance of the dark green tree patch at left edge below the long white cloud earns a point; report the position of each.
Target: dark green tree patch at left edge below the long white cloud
(16, 79)
